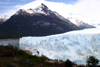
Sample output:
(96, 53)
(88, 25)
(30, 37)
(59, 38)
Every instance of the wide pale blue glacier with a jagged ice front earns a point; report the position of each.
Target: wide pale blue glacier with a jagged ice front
(75, 45)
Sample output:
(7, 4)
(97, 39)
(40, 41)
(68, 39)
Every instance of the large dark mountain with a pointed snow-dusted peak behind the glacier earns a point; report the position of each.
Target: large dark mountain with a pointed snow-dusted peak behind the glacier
(35, 22)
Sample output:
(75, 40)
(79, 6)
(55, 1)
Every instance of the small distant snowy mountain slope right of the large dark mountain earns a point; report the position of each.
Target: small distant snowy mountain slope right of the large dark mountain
(80, 23)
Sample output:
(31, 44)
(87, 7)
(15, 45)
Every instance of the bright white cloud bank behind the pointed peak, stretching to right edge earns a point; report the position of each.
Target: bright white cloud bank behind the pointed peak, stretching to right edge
(82, 9)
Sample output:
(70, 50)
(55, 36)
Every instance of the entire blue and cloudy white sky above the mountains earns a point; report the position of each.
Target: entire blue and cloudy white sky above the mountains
(82, 9)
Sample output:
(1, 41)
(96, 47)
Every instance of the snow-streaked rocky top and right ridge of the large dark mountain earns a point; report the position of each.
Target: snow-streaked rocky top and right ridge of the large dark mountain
(43, 9)
